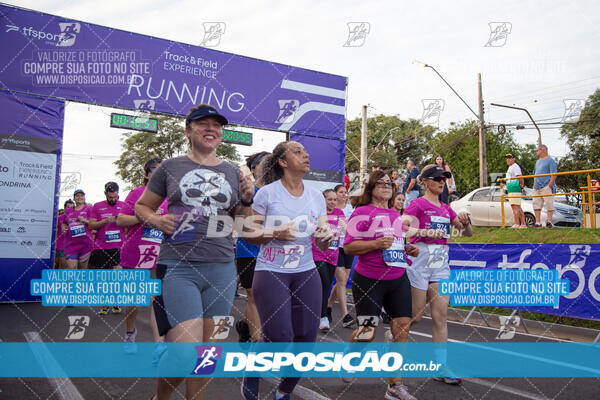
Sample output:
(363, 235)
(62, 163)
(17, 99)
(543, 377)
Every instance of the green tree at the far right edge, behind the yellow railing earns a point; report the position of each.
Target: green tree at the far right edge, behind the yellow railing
(583, 138)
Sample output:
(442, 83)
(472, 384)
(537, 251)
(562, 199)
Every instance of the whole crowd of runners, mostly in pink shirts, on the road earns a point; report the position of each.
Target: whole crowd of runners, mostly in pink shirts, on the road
(293, 243)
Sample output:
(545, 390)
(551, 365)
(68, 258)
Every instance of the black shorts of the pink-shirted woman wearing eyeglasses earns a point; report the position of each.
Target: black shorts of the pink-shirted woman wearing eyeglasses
(371, 294)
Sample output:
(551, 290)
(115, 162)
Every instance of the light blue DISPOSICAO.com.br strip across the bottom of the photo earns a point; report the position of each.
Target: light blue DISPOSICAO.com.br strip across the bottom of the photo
(319, 360)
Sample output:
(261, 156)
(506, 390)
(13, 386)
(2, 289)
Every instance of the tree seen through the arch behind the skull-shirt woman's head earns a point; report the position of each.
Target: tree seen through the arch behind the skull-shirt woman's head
(170, 141)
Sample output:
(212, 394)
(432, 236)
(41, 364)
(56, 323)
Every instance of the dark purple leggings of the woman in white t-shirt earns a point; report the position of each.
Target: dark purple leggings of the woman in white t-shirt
(289, 306)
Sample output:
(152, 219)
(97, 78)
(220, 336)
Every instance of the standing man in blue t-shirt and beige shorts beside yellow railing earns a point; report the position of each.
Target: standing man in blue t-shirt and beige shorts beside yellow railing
(544, 185)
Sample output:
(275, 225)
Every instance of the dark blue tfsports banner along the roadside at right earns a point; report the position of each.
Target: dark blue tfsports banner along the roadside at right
(579, 264)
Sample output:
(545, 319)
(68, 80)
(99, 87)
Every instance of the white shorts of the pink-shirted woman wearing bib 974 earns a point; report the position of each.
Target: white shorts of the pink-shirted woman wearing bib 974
(430, 266)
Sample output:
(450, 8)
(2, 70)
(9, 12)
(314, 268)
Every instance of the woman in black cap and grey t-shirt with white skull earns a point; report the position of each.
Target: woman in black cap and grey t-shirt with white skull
(200, 279)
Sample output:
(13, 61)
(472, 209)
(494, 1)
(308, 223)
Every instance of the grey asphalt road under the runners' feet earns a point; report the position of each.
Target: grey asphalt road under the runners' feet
(50, 324)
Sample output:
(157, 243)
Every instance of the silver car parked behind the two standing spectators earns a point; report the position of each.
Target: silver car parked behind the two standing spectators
(483, 205)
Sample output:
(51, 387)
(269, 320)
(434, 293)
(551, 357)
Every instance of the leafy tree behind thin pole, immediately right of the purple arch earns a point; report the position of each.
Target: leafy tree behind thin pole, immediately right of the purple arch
(391, 141)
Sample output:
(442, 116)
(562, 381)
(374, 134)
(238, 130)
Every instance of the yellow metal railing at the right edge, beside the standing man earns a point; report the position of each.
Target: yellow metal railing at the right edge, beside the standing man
(586, 190)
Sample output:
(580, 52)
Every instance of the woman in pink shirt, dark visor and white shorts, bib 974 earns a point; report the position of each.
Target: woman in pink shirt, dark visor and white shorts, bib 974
(429, 222)
